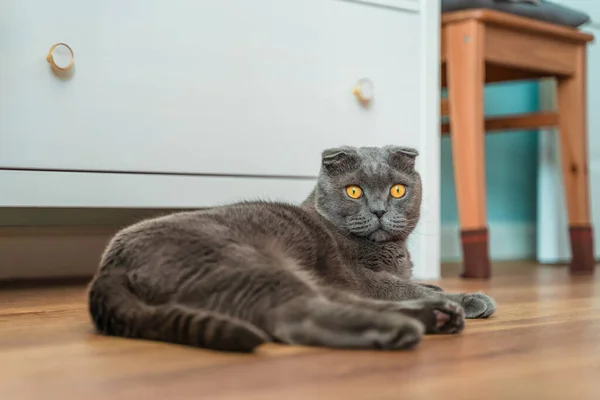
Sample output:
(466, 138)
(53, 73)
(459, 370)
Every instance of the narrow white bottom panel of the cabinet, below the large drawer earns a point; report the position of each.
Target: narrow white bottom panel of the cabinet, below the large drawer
(49, 189)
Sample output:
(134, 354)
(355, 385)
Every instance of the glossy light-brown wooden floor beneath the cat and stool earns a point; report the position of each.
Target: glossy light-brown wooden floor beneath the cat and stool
(543, 343)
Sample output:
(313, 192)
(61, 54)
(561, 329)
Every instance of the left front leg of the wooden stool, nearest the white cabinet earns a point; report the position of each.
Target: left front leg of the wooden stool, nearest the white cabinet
(466, 80)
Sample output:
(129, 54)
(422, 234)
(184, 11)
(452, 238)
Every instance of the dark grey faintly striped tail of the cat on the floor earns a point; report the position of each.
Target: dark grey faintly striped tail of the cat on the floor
(117, 311)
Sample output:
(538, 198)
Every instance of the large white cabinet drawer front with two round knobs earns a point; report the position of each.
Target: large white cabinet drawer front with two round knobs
(213, 87)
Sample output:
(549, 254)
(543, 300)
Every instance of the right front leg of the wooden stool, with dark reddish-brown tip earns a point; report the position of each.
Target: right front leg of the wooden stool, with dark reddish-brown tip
(572, 109)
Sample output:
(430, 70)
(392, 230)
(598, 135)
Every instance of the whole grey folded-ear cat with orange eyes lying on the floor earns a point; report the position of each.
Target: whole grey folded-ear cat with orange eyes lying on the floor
(332, 272)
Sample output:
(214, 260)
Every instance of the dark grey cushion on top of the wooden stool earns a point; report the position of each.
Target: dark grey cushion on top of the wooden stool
(544, 11)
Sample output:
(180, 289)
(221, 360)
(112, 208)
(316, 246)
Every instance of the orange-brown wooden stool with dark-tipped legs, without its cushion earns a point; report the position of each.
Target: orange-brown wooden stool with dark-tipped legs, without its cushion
(482, 46)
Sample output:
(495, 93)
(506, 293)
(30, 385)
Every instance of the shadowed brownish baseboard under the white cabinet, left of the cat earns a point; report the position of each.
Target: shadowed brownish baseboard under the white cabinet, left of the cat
(51, 252)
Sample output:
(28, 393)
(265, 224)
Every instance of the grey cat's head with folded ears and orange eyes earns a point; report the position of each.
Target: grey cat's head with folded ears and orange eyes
(370, 192)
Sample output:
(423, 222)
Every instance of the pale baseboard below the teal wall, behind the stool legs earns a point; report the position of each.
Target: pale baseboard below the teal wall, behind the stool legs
(508, 241)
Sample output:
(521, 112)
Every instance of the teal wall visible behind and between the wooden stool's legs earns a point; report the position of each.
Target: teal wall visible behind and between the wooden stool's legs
(511, 161)
